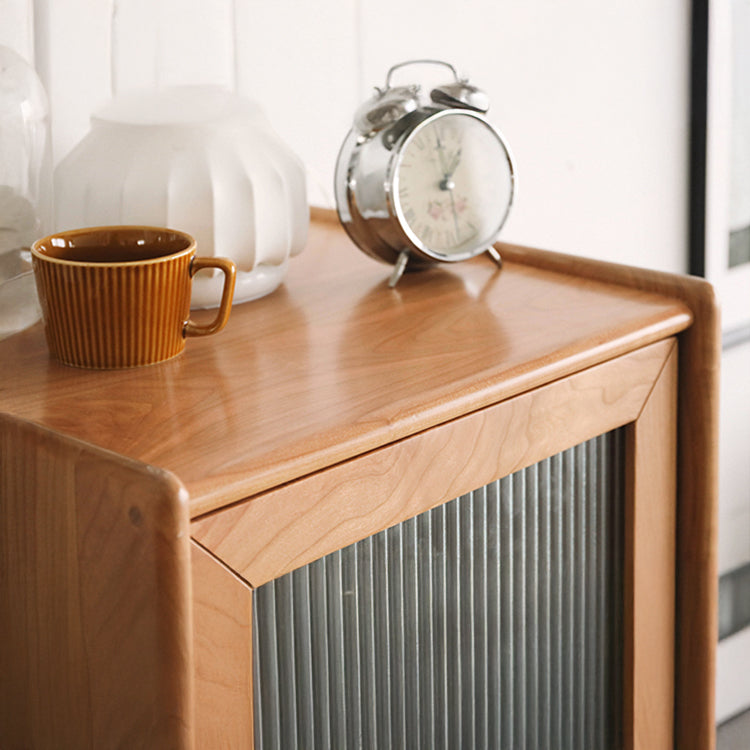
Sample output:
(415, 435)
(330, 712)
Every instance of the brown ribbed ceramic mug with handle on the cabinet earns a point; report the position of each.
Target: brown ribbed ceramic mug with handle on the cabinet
(120, 296)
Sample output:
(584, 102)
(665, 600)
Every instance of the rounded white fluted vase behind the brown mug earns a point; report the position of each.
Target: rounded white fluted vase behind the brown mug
(199, 159)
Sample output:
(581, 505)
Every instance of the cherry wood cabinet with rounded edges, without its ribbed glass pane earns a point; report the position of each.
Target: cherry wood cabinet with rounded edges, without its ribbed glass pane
(141, 508)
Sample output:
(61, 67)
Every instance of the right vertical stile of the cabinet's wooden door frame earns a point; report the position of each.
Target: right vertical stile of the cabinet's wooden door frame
(650, 561)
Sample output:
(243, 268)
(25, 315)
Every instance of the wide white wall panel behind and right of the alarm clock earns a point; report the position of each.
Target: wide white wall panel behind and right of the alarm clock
(593, 99)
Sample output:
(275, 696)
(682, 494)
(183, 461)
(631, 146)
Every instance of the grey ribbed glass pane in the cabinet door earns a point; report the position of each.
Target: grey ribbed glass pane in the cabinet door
(493, 621)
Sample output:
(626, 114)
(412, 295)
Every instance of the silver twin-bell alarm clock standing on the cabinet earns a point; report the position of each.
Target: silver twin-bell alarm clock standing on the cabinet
(421, 180)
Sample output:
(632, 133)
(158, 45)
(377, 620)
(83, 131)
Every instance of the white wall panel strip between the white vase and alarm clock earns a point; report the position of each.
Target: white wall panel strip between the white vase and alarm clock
(301, 61)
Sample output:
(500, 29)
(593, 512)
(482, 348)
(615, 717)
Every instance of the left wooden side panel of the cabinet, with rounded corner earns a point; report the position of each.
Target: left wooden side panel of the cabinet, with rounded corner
(95, 637)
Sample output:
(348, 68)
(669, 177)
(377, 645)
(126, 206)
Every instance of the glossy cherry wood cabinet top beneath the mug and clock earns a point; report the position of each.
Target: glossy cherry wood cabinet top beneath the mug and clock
(334, 363)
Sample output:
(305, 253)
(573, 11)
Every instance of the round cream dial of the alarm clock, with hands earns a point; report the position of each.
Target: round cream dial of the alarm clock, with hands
(452, 185)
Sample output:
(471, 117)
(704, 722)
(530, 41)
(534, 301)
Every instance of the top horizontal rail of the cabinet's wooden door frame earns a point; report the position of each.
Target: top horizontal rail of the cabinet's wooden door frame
(285, 528)
